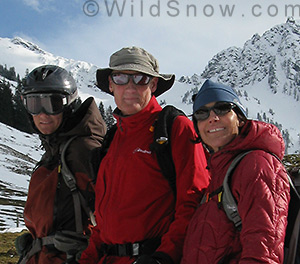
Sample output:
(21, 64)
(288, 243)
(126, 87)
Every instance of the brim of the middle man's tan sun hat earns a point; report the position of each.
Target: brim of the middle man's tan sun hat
(165, 81)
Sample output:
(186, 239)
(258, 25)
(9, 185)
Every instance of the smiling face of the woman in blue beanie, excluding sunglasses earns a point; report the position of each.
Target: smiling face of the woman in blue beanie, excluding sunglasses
(218, 130)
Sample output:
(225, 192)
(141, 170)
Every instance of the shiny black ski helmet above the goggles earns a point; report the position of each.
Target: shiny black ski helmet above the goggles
(50, 79)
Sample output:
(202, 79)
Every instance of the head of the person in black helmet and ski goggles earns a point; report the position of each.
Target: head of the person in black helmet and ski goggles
(49, 95)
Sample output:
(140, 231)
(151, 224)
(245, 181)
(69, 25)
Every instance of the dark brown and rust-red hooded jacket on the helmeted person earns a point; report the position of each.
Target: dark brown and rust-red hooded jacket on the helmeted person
(50, 208)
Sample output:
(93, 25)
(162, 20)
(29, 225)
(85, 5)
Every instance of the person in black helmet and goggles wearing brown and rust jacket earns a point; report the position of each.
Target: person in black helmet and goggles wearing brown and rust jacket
(57, 208)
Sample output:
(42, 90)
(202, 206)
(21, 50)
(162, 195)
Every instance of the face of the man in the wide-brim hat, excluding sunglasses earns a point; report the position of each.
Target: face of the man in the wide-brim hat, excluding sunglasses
(131, 98)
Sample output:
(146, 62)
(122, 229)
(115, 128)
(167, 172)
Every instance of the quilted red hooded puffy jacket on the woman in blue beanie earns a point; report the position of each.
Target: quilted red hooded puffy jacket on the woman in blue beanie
(261, 189)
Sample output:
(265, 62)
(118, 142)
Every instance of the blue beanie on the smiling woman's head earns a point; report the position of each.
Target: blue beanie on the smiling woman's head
(216, 92)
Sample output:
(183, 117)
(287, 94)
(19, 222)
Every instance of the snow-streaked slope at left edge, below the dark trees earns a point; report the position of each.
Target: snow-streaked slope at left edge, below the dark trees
(19, 153)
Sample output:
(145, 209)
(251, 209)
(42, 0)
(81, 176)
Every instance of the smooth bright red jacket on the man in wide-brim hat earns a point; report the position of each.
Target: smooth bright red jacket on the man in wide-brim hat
(134, 201)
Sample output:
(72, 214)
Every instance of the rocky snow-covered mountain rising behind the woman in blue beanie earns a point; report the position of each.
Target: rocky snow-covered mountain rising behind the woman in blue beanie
(265, 72)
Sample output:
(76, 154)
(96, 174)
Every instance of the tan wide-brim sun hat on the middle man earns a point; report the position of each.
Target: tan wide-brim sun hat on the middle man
(134, 59)
